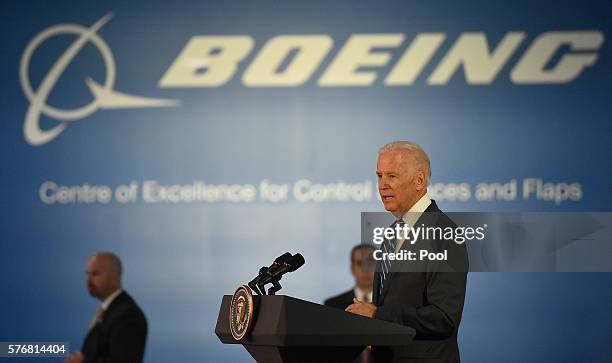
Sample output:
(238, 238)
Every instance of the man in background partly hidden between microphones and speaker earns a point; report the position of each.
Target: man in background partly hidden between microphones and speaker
(362, 291)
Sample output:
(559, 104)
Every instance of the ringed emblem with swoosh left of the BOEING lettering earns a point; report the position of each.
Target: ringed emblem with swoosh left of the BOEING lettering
(104, 97)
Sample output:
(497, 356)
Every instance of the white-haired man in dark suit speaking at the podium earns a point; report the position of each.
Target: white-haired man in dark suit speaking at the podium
(427, 296)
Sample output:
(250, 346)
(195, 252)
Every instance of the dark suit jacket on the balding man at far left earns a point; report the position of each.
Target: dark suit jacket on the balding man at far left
(119, 336)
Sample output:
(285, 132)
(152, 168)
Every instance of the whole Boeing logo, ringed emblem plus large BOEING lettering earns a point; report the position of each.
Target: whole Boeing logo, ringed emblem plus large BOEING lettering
(388, 60)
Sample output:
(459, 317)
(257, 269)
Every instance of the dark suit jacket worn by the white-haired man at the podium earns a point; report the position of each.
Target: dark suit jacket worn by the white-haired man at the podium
(430, 300)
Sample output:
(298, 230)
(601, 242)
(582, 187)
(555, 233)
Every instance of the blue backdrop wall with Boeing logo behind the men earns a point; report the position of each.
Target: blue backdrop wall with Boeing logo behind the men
(181, 257)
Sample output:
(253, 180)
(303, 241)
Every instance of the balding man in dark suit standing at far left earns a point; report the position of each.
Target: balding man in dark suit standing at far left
(118, 330)
